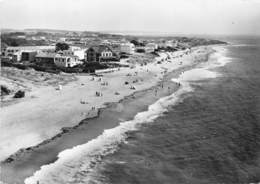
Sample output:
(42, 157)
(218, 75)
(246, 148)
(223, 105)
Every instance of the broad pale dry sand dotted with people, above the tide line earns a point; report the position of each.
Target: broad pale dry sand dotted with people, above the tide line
(43, 116)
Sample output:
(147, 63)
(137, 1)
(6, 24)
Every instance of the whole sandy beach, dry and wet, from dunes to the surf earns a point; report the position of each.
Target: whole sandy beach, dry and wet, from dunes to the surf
(51, 110)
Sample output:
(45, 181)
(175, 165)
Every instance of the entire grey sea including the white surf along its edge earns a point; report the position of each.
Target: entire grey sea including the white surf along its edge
(208, 131)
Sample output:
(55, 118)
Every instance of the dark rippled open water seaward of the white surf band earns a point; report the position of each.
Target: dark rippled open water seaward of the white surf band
(212, 136)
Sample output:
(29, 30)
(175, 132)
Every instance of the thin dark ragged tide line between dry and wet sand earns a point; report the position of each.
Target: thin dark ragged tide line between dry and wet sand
(66, 130)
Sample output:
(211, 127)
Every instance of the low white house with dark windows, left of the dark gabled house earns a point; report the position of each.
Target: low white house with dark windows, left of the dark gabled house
(66, 60)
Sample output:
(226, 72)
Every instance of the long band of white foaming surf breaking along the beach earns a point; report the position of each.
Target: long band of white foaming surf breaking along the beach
(75, 165)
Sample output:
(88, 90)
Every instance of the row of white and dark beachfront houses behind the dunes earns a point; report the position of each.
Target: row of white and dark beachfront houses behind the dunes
(74, 55)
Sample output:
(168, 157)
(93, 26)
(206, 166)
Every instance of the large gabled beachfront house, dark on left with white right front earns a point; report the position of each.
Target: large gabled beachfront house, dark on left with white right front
(100, 53)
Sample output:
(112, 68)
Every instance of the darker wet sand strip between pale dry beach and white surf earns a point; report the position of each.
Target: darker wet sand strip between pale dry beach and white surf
(24, 163)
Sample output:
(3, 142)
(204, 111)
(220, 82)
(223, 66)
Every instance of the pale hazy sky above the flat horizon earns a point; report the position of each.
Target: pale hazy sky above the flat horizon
(236, 17)
